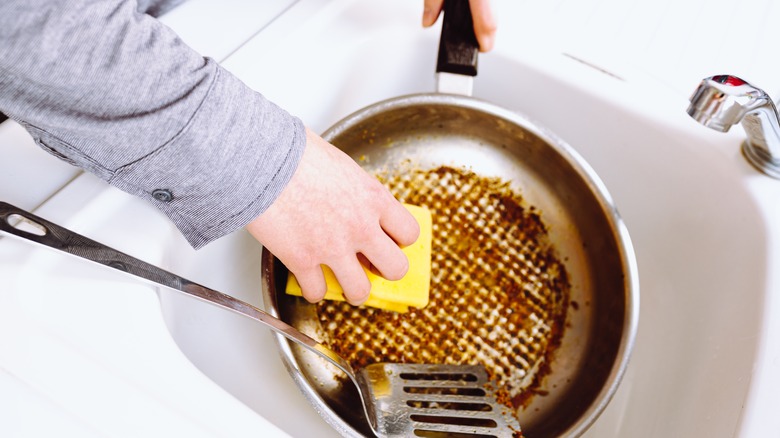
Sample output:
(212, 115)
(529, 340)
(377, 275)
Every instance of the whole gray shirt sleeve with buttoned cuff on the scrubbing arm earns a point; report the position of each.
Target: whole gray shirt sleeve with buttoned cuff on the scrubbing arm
(117, 93)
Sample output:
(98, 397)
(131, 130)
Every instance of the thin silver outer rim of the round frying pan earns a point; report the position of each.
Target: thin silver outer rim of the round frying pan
(626, 256)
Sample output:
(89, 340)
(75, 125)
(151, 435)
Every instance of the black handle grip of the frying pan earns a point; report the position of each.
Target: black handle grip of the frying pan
(458, 46)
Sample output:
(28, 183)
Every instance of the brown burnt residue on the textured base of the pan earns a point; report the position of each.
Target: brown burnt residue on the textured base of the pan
(499, 294)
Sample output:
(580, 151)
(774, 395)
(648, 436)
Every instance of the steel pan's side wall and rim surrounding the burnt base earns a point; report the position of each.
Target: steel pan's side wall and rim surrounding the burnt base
(431, 130)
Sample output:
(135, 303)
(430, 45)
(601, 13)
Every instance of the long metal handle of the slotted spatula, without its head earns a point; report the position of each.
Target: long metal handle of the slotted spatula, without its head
(31, 228)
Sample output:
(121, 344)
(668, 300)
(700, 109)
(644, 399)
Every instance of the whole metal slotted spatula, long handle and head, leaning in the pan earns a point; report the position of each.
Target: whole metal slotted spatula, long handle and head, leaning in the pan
(399, 399)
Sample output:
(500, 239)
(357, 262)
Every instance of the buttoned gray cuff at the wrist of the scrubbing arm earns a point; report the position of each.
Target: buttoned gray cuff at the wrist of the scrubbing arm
(225, 168)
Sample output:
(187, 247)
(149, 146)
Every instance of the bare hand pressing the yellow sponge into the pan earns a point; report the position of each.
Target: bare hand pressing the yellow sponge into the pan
(333, 213)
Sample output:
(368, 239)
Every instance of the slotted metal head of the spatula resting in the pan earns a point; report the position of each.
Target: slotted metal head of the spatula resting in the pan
(434, 401)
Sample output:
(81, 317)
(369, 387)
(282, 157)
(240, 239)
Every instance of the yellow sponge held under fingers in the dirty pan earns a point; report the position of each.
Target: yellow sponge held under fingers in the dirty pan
(412, 290)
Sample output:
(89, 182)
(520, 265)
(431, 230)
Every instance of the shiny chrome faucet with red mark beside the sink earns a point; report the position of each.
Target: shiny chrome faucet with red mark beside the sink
(725, 100)
